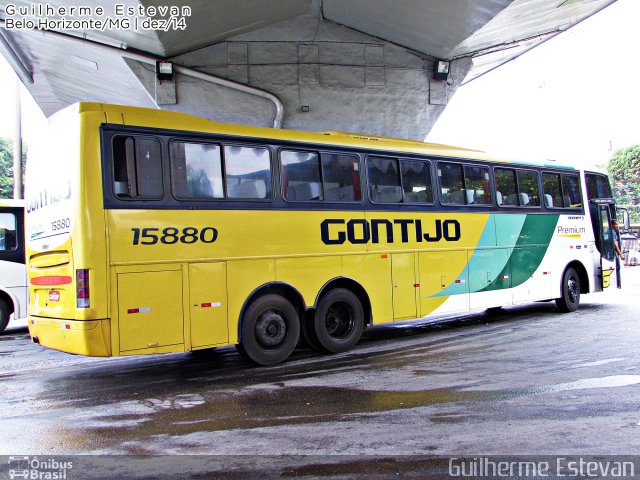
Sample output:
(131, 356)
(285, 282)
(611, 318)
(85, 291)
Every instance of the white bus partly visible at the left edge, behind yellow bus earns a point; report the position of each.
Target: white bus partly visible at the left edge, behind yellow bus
(13, 277)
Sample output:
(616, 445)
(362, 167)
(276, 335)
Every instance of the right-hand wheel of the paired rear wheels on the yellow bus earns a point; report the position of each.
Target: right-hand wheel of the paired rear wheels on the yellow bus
(339, 320)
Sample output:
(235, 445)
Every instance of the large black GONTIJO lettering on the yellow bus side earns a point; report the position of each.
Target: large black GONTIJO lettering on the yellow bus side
(338, 231)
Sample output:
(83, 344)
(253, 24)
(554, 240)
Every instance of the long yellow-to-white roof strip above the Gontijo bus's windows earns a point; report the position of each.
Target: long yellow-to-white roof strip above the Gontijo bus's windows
(145, 117)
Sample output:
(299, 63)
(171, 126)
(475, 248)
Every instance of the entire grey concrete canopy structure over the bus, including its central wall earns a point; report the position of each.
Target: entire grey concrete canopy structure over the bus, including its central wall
(357, 65)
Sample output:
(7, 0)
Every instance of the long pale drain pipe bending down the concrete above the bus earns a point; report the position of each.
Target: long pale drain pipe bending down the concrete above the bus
(191, 72)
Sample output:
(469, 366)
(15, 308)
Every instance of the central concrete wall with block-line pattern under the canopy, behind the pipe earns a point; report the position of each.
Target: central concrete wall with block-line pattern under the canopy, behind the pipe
(328, 77)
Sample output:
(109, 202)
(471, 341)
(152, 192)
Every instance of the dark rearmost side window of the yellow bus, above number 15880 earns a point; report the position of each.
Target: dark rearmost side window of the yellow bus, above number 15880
(137, 167)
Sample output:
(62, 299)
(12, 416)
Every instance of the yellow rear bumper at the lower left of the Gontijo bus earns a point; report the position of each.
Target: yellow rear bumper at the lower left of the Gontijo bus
(92, 338)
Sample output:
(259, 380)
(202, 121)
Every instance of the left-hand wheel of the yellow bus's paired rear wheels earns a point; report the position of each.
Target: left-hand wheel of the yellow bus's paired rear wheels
(270, 330)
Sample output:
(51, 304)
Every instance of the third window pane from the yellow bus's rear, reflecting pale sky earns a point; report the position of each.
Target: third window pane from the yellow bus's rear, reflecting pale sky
(247, 172)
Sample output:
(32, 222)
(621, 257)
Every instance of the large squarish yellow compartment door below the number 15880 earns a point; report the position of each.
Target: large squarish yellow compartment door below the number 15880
(150, 309)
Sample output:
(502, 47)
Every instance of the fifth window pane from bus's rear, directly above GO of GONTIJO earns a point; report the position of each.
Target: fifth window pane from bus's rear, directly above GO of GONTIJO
(341, 176)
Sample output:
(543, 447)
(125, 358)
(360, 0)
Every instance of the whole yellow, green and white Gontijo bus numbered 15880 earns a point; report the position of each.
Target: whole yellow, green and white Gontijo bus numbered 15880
(153, 231)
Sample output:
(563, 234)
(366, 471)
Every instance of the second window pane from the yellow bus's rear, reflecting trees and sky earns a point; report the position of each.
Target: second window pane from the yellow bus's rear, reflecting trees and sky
(197, 170)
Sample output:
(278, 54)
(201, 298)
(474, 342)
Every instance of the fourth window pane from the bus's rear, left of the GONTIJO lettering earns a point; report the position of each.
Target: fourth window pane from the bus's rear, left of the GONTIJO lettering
(300, 174)
